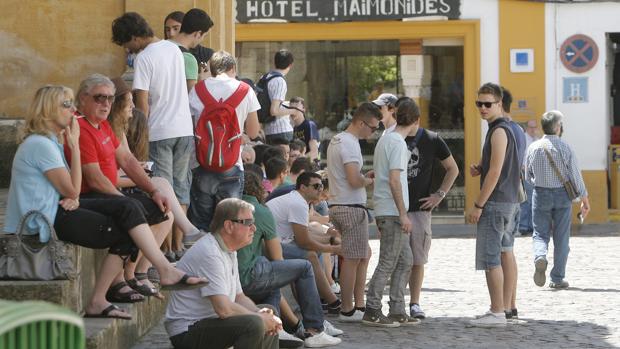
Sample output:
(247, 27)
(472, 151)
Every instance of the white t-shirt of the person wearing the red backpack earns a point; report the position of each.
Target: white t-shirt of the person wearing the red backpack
(222, 87)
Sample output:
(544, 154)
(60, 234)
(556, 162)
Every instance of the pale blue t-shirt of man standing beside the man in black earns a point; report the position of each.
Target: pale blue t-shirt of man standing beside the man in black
(391, 153)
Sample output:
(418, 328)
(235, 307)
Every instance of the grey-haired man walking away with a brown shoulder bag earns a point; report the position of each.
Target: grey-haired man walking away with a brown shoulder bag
(552, 208)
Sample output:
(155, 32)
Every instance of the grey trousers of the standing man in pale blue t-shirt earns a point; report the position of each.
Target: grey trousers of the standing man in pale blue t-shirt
(395, 262)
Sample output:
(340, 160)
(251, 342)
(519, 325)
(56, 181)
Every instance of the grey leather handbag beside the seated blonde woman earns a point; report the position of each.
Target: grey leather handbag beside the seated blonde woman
(23, 257)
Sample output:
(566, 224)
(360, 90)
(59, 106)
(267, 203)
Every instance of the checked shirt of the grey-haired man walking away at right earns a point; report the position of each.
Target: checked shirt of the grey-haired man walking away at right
(539, 170)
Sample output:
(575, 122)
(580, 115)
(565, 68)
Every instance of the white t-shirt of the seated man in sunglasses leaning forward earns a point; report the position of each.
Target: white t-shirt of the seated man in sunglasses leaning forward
(288, 209)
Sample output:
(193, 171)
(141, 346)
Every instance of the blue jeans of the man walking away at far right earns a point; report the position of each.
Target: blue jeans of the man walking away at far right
(552, 210)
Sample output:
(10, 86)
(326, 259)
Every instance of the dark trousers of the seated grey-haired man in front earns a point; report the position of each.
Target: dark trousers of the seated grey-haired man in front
(242, 332)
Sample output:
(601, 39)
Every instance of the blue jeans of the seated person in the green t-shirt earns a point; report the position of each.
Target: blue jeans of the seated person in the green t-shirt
(269, 276)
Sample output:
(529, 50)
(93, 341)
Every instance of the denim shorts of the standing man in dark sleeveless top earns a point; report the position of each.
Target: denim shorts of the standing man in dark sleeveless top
(495, 233)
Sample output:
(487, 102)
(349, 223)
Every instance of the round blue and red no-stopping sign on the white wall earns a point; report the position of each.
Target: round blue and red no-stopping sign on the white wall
(579, 53)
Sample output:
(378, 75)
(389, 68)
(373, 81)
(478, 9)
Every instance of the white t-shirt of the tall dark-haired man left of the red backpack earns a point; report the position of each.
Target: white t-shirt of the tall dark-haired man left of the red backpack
(160, 70)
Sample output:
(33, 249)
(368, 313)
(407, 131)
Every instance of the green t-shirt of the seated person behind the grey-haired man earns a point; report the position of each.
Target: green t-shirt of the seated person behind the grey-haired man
(265, 229)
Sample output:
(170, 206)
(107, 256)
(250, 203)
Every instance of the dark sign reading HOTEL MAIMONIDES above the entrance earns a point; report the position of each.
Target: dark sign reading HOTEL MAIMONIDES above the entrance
(344, 10)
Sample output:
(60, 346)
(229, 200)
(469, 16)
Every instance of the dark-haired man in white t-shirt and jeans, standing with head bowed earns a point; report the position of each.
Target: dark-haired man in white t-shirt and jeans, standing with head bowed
(160, 89)
